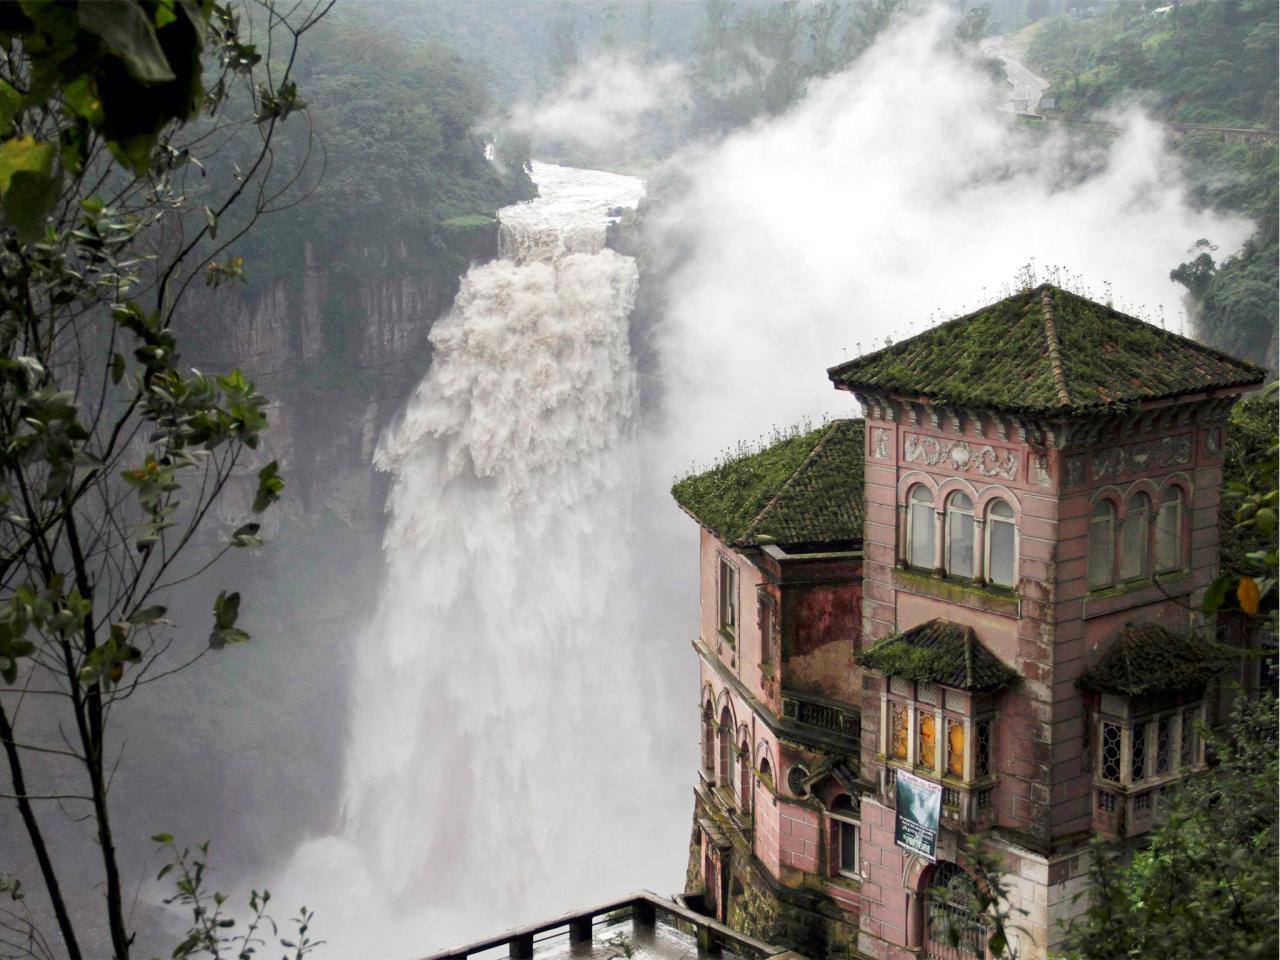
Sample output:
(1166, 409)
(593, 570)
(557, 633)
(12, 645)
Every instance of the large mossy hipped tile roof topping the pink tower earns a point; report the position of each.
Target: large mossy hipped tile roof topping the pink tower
(1045, 351)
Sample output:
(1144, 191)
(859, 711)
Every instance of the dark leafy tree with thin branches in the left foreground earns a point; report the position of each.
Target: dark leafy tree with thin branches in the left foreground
(113, 452)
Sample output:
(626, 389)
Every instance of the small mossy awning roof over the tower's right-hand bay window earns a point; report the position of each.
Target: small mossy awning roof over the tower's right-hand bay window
(1148, 659)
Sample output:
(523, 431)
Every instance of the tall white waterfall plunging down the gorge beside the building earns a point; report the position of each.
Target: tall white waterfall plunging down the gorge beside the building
(499, 743)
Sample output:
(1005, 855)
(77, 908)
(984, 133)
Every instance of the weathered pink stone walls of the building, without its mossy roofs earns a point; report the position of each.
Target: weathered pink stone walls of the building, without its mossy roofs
(803, 746)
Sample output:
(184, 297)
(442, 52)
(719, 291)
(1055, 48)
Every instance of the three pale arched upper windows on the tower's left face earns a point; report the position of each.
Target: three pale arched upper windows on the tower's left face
(970, 551)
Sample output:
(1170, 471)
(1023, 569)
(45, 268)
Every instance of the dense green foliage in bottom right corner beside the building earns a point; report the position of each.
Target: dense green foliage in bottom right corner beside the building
(1206, 885)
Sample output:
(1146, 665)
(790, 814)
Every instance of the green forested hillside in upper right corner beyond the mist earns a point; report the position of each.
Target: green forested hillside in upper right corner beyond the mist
(1195, 63)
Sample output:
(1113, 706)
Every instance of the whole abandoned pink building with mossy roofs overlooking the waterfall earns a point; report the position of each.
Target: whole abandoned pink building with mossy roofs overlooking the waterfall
(985, 592)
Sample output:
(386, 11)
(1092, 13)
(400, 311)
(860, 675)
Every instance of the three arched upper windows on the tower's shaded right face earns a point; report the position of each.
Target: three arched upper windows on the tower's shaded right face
(1141, 540)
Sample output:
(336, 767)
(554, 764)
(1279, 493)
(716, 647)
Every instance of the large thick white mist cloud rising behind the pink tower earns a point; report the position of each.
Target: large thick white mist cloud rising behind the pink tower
(893, 195)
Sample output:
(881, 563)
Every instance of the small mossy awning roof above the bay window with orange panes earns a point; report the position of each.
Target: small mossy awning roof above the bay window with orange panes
(940, 652)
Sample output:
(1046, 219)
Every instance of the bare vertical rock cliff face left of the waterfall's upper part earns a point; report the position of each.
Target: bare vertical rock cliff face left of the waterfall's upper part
(337, 348)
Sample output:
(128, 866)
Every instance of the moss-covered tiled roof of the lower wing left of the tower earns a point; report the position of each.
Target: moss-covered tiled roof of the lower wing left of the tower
(802, 490)
